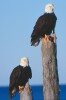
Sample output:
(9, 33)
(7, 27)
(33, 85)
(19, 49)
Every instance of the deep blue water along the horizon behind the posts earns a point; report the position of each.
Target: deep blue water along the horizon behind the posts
(36, 90)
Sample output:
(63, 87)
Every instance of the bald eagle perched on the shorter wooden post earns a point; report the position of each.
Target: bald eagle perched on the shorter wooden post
(19, 76)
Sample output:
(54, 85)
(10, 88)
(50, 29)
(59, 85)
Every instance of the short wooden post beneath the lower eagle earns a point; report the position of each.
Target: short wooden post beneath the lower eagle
(26, 94)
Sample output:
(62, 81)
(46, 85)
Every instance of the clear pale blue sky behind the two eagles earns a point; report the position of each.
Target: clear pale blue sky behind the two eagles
(17, 19)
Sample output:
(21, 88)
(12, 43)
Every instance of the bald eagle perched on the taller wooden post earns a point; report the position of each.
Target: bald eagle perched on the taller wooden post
(45, 25)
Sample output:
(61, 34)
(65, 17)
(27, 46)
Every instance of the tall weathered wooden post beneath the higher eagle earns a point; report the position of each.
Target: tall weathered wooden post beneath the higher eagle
(50, 70)
